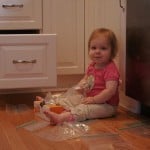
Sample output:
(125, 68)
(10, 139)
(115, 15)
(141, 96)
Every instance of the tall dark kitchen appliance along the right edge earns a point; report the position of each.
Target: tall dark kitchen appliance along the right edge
(138, 52)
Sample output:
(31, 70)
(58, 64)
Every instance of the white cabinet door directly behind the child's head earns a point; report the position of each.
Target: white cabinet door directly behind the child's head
(102, 13)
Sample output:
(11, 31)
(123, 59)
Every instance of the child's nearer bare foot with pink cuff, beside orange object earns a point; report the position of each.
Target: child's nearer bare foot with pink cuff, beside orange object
(59, 118)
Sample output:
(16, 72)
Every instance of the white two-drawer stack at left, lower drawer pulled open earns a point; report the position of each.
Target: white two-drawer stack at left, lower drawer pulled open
(27, 60)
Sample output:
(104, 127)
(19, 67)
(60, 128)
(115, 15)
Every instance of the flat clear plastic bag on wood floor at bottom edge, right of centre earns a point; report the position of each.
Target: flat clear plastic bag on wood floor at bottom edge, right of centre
(106, 141)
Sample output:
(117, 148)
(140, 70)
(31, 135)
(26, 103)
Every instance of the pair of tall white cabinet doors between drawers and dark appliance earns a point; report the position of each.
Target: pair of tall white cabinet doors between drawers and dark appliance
(73, 21)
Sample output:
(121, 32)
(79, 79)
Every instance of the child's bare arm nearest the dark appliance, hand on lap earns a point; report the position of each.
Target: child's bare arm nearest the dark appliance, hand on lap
(103, 96)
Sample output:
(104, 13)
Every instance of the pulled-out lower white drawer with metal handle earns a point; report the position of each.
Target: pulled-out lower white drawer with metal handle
(27, 61)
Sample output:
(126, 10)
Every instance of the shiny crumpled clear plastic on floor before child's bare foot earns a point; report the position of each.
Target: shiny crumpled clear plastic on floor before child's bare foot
(68, 130)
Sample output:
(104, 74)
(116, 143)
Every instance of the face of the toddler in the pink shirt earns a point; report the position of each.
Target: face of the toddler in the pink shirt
(100, 50)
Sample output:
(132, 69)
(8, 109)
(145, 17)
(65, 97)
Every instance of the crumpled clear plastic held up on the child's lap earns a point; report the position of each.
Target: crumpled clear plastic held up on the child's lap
(73, 96)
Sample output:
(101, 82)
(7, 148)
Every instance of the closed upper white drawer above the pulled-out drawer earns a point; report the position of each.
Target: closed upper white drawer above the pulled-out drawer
(20, 14)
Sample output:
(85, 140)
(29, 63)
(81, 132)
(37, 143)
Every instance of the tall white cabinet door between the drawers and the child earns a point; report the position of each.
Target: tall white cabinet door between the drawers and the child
(66, 19)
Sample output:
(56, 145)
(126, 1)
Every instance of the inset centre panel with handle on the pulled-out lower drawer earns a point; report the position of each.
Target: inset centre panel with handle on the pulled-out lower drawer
(23, 60)
